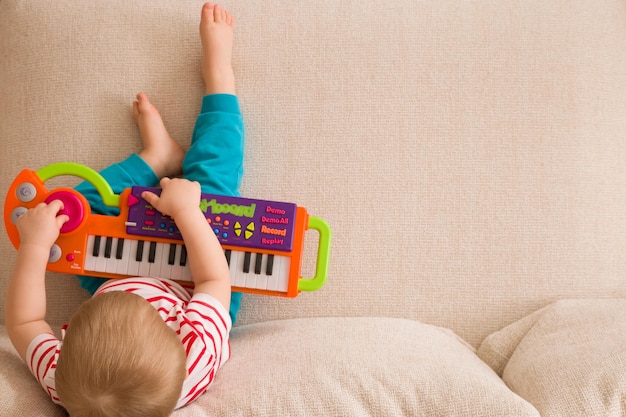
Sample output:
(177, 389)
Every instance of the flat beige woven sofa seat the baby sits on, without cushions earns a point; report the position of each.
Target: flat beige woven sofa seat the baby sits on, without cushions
(469, 156)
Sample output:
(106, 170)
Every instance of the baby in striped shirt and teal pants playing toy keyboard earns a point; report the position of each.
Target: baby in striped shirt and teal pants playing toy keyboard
(143, 346)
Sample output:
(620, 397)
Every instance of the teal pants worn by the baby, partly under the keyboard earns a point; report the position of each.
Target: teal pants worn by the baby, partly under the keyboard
(215, 160)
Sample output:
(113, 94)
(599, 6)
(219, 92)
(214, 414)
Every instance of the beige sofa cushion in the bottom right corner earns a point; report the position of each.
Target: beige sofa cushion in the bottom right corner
(568, 358)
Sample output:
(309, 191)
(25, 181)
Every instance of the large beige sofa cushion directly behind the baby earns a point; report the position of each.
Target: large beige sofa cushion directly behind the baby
(326, 366)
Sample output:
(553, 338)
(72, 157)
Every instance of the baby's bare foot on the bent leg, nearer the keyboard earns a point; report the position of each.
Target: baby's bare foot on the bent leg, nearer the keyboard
(160, 151)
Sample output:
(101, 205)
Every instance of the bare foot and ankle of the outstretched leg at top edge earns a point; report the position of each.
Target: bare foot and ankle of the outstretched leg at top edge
(216, 34)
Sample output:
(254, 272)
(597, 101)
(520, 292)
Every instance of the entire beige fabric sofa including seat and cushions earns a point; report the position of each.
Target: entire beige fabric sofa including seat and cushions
(469, 156)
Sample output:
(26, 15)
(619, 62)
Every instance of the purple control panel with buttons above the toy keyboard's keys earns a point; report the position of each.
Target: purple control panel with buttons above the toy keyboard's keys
(235, 221)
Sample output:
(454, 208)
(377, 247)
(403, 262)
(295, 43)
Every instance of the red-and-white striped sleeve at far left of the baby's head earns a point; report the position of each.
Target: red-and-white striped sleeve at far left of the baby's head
(42, 355)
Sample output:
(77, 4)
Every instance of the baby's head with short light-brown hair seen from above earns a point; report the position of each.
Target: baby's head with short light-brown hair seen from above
(119, 358)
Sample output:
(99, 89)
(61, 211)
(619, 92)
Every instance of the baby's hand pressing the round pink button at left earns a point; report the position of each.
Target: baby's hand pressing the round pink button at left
(41, 224)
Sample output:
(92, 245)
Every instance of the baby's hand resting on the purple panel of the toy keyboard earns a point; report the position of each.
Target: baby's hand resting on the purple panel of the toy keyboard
(178, 195)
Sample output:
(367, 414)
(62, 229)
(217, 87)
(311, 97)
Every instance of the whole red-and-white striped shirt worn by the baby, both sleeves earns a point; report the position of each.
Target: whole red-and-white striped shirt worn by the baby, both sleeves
(201, 322)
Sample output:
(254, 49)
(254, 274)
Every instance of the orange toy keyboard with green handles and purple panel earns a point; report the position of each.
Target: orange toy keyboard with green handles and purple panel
(263, 241)
